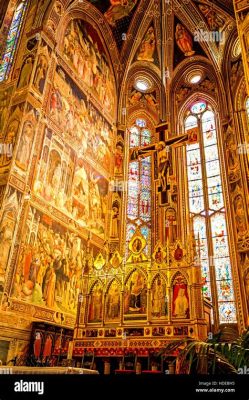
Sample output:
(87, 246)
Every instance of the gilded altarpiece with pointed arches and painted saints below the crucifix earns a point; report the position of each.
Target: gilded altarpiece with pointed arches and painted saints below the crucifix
(139, 303)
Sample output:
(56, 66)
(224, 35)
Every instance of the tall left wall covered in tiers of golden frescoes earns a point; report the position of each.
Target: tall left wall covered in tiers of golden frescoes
(60, 130)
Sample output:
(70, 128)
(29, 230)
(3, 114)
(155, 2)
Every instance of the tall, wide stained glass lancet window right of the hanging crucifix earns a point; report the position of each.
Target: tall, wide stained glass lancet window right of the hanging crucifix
(207, 208)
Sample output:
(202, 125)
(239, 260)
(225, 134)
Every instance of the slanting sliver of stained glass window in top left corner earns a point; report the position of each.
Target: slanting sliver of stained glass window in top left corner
(12, 40)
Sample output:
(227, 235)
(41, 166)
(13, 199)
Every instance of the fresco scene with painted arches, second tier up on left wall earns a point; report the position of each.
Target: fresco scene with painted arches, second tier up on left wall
(71, 184)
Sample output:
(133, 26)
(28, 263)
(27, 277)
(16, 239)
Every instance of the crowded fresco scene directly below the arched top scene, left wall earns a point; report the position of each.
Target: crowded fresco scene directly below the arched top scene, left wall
(79, 121)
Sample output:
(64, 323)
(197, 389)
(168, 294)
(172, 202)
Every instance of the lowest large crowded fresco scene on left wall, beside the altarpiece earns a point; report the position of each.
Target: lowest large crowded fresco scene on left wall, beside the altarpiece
(50, 265)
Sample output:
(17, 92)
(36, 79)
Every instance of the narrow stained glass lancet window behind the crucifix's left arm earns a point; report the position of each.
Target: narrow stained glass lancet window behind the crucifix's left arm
(139, 185)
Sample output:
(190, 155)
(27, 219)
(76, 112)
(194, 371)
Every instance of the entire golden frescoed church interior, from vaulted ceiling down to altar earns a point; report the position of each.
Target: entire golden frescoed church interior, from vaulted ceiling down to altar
(124, 170)
